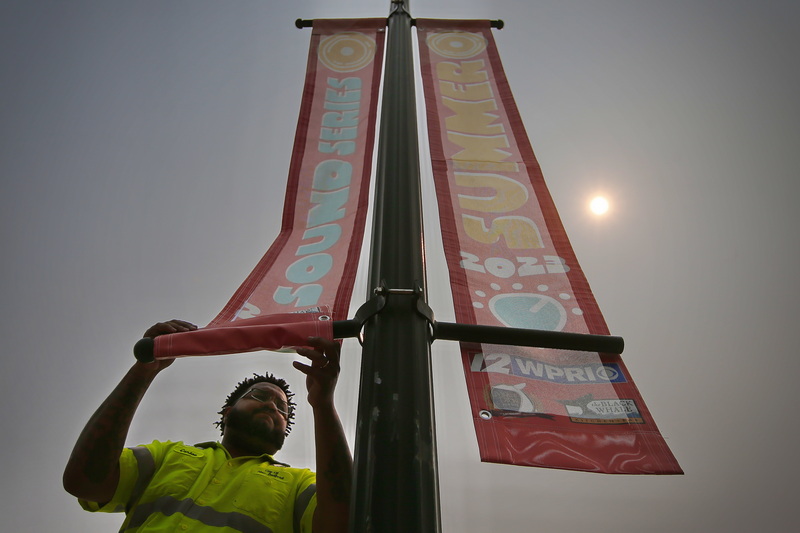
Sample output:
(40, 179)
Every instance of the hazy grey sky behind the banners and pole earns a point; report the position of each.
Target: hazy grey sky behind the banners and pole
(144, 148)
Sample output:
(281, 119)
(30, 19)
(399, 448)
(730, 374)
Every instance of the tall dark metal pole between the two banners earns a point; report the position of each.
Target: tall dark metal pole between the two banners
(396, 486)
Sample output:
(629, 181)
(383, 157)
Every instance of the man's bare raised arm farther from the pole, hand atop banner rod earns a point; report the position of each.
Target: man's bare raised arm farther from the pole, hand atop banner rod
(92, 472)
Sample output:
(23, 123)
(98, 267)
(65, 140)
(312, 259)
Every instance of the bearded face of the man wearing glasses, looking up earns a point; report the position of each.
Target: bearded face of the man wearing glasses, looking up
(252, 418)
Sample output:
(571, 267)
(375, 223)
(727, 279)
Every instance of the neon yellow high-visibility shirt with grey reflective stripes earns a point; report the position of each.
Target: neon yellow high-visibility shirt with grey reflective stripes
(170, 486)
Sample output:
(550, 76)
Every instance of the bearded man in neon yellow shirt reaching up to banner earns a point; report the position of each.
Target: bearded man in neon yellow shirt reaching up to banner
(234, 484)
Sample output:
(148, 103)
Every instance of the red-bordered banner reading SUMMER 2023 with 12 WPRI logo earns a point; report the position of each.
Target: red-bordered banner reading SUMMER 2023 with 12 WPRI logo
(511, 264)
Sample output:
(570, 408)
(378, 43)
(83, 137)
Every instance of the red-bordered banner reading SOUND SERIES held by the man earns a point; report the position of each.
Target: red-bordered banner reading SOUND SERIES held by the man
(312, 264)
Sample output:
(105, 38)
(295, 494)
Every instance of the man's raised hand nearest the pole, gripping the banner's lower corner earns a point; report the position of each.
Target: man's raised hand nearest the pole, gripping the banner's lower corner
(322, 374)
